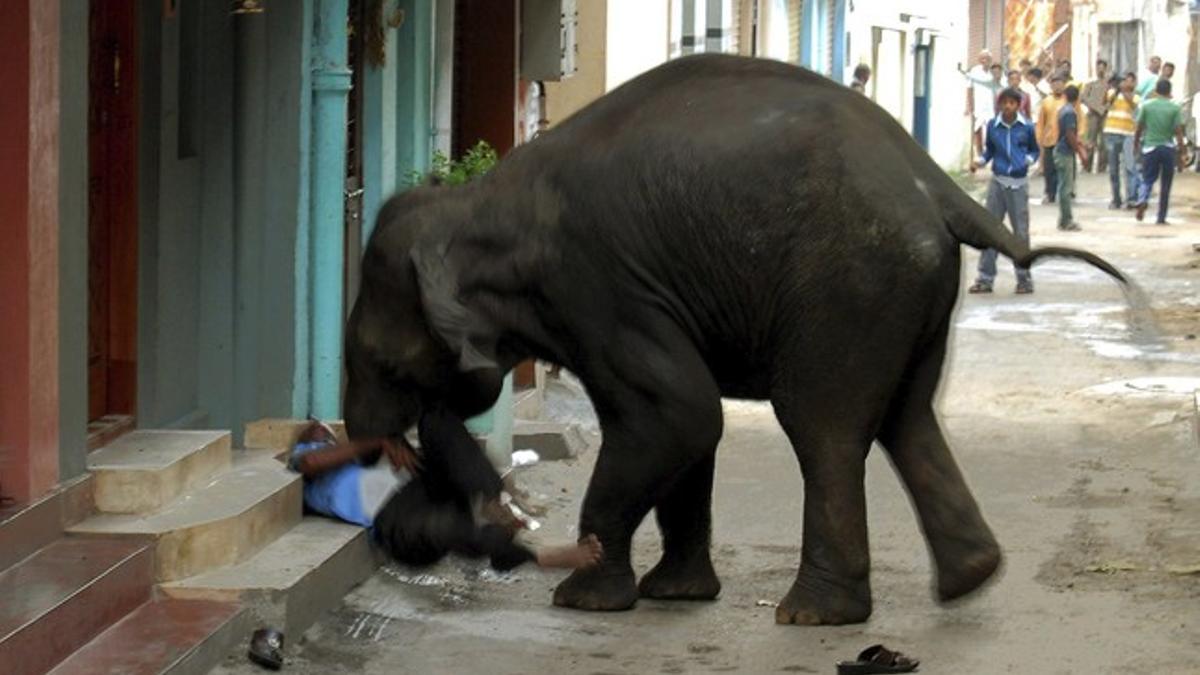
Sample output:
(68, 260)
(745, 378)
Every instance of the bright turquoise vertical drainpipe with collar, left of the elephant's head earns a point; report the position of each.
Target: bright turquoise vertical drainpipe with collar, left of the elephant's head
(331, 88)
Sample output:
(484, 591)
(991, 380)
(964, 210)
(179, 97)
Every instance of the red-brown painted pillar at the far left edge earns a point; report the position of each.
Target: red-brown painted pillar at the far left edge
(29, 277)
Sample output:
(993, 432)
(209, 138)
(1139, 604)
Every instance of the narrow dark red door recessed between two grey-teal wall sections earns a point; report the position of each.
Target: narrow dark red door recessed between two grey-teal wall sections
(112, 212)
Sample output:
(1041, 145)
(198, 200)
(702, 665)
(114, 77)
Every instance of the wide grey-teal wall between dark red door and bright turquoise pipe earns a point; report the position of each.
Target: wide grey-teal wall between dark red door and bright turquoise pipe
(221, 204)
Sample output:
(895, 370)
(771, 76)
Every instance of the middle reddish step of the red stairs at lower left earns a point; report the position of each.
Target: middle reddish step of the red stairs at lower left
(67, 594)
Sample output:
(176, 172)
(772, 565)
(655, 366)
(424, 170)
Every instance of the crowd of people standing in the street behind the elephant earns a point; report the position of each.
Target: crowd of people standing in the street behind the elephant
(1041, 118)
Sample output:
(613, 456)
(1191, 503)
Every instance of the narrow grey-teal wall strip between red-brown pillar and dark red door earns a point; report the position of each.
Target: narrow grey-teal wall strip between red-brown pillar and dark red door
(73, 238)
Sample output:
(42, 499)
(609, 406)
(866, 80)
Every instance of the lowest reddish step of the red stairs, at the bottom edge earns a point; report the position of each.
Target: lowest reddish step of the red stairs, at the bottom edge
(163, 637)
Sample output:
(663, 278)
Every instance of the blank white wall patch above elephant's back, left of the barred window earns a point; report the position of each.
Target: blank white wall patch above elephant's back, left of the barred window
(638, 37)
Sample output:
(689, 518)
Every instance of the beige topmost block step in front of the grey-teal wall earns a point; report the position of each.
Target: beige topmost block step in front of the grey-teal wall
(146, 470)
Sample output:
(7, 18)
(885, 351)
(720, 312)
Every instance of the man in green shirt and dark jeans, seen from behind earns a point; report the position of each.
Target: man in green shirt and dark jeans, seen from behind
(1160, 134)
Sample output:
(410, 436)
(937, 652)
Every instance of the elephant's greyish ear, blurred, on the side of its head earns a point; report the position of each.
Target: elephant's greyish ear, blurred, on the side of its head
(463, 330)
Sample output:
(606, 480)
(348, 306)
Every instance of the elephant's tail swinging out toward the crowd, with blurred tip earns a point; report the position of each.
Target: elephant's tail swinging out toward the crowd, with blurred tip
(975, 226)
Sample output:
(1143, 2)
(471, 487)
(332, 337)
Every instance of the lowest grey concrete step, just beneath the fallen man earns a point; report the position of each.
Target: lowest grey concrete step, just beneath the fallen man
(295, 580)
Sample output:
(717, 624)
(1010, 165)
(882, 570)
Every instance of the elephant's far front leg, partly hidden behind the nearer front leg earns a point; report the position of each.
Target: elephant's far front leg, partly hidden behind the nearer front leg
(686, 518)
